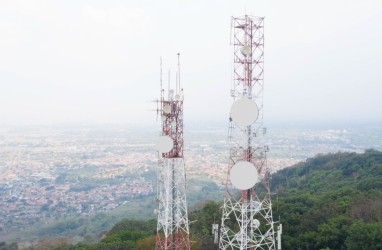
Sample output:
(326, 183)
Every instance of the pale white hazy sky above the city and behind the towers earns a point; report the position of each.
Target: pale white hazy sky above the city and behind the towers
(98, 61)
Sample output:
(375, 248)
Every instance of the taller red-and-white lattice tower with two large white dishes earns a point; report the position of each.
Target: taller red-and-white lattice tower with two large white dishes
(247, 221)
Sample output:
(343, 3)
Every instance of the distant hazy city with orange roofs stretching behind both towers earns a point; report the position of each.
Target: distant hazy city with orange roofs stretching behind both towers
(53, 171)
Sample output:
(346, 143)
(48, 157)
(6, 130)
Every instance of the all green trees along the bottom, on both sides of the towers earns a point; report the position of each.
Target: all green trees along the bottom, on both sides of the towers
(331, 201)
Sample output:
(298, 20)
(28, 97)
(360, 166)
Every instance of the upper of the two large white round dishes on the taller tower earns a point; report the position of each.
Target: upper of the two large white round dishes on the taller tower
(244, 112)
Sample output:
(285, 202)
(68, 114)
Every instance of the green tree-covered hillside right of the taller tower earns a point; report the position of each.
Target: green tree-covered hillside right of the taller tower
(331, 201)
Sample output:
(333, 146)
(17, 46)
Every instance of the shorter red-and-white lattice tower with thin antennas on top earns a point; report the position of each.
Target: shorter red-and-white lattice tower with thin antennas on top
(172, 227)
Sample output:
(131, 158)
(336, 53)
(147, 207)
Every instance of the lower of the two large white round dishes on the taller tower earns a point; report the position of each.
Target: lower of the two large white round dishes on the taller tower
(243, 175)
